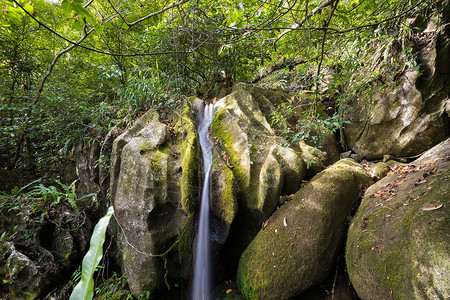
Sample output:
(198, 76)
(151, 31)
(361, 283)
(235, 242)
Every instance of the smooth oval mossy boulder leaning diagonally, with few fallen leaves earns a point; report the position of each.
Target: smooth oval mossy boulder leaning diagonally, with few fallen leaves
(298, 248)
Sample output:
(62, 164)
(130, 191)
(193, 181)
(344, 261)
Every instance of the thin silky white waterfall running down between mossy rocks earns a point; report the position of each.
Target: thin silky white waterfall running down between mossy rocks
(201, 284)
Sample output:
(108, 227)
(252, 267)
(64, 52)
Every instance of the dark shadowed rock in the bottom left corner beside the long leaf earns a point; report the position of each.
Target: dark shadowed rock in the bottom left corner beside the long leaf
(30, 264)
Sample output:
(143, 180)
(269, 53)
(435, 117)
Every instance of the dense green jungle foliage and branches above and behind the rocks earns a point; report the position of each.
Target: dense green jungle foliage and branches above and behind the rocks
(70, 70)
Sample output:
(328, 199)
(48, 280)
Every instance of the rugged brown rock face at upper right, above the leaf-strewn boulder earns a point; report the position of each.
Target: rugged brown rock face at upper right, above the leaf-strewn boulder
(414, 117)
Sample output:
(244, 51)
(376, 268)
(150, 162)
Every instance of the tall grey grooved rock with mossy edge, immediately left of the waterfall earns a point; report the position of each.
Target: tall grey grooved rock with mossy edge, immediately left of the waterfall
(153, 186)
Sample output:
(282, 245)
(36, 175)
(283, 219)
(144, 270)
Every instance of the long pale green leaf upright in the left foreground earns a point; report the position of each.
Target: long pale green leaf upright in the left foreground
(84, 290)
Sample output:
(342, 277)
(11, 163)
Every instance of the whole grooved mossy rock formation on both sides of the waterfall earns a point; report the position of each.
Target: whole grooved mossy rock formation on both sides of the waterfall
(155, 177)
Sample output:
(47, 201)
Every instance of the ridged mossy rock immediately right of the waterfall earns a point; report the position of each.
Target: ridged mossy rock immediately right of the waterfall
(250, 168)
